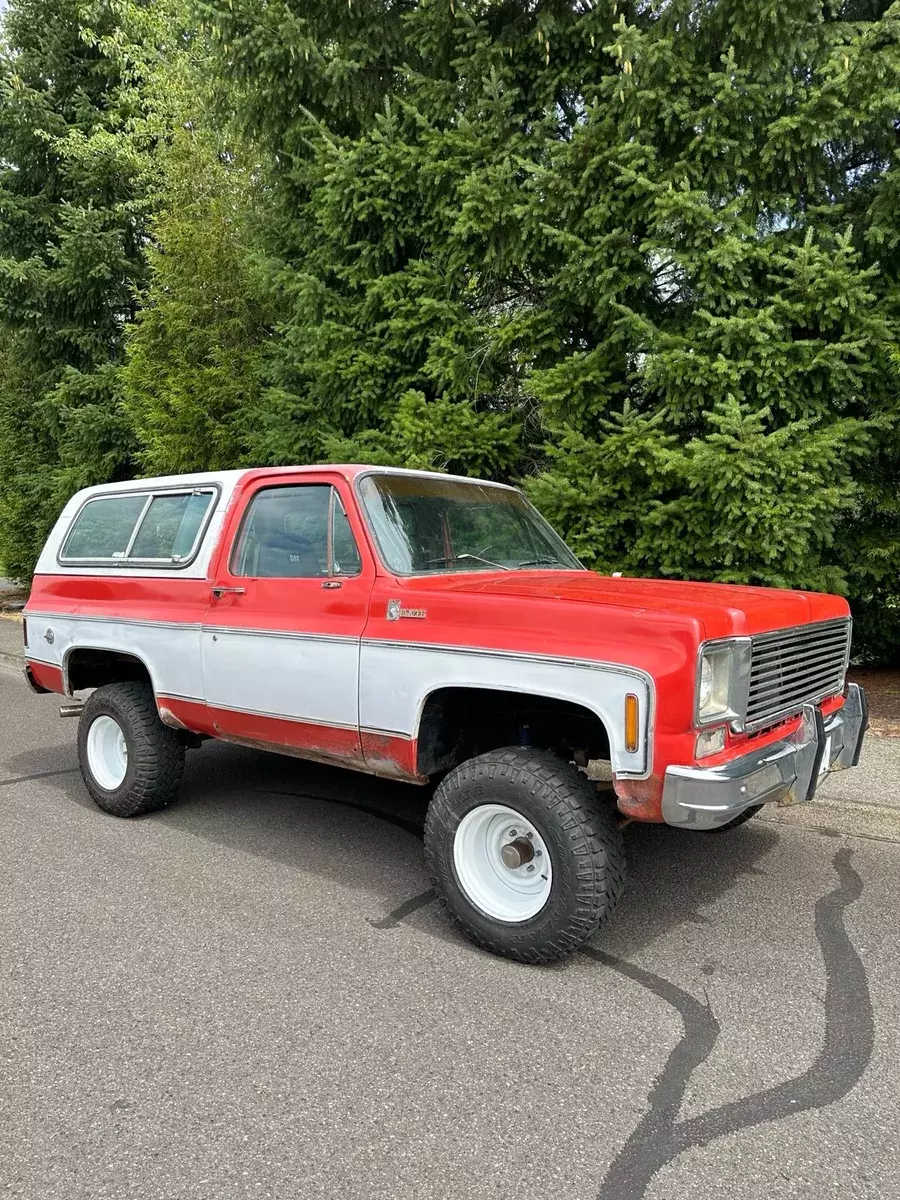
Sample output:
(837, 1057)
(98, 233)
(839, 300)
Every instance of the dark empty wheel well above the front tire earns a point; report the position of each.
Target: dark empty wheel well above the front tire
(461, 723)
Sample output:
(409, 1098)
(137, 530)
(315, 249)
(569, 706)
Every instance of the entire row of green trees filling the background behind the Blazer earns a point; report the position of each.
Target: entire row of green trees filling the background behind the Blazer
(644, 256)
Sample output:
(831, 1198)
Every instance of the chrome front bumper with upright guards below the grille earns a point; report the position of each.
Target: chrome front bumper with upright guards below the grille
(787, 772)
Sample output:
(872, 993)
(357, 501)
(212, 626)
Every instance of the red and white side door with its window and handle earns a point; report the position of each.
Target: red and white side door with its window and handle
(281, 637)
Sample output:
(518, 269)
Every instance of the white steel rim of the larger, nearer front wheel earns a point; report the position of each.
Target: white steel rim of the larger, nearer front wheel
(502, 892)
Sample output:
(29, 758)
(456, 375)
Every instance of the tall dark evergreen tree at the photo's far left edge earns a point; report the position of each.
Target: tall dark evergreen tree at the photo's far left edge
(71, 225)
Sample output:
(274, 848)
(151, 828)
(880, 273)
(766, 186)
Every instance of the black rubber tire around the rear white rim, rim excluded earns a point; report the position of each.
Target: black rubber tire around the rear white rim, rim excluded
(157, 754)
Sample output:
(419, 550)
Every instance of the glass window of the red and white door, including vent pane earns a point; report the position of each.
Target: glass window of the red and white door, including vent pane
(296, 532)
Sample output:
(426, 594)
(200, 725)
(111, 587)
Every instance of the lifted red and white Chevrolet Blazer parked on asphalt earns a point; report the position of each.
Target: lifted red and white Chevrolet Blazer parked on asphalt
(435, 629)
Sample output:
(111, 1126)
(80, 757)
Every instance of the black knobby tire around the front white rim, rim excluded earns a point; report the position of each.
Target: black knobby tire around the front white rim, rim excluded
(583, 837)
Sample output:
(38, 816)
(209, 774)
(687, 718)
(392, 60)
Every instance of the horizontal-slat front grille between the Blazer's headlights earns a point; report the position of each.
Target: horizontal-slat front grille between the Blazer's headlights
(793, 668)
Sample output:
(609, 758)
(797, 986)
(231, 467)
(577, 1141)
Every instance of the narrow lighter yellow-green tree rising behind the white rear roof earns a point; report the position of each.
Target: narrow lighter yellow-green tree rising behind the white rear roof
(191, 373)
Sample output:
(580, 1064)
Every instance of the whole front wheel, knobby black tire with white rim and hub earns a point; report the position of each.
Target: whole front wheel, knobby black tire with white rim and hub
(523, 854)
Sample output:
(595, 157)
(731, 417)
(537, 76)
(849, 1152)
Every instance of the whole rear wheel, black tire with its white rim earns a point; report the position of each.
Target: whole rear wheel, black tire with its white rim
(130, 761)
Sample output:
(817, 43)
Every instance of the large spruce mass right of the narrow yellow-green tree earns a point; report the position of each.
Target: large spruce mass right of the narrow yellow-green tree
(659, 238)
